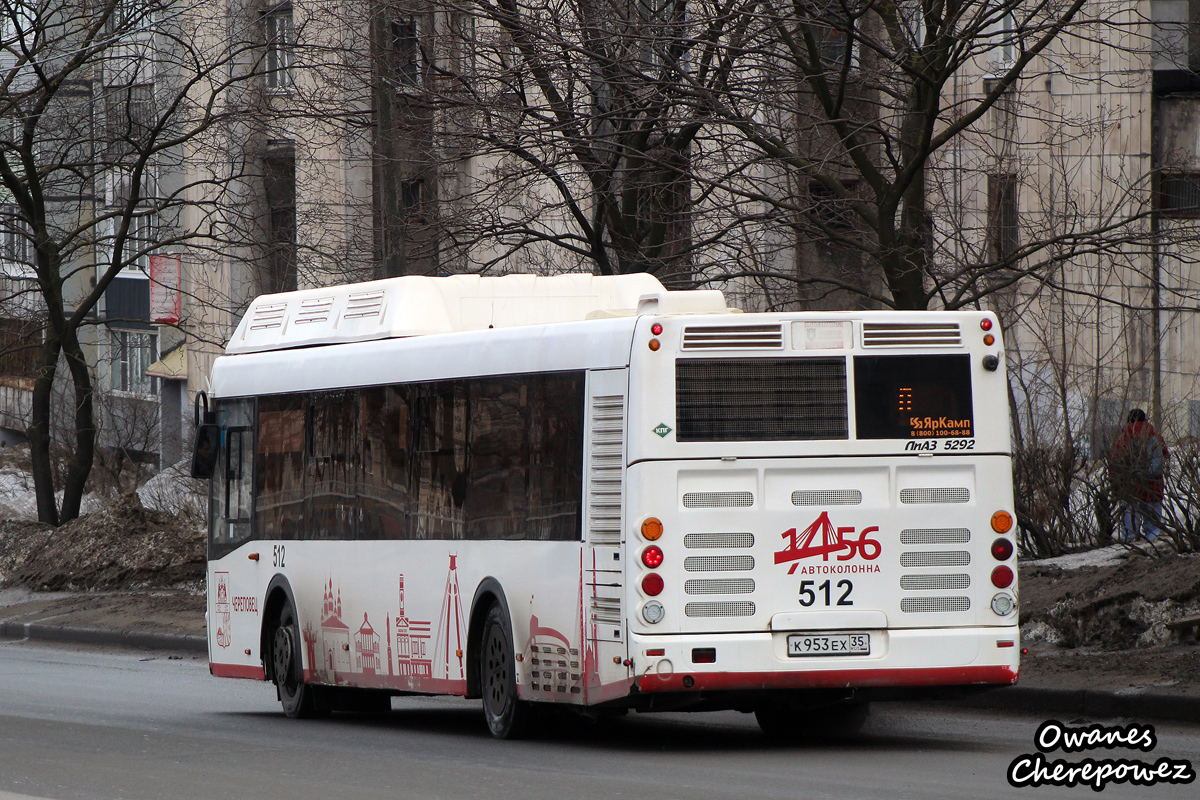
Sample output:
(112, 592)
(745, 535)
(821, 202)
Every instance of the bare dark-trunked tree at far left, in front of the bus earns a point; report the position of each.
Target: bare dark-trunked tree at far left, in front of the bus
(105, 109)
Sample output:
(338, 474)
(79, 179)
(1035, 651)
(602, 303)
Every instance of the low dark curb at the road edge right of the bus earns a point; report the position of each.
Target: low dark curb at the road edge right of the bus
(1143, 707)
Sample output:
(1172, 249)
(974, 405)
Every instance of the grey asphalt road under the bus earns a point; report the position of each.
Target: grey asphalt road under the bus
(118, 725)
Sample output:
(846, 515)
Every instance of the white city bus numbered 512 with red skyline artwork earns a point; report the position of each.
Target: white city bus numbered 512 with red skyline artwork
(596, 492)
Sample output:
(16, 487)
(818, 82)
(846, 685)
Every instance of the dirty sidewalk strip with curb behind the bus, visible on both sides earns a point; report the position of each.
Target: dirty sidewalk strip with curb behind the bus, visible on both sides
(1054, 683)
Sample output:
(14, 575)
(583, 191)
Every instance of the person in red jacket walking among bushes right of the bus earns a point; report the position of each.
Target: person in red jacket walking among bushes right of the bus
(1137, 470)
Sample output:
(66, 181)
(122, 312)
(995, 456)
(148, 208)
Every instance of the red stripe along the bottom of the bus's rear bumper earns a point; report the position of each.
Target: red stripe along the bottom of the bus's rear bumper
(829, 679)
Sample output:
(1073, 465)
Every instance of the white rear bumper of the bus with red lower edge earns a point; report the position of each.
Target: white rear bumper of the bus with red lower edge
(920, 658)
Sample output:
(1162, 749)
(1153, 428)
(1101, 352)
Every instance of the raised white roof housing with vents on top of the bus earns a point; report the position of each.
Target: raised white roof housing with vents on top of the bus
(421, 305)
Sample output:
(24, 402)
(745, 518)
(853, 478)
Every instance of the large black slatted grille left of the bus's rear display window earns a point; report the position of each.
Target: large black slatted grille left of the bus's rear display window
(761, 400)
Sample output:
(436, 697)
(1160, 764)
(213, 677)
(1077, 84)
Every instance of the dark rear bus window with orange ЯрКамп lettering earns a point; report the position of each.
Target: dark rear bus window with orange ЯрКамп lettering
(914, 396)
